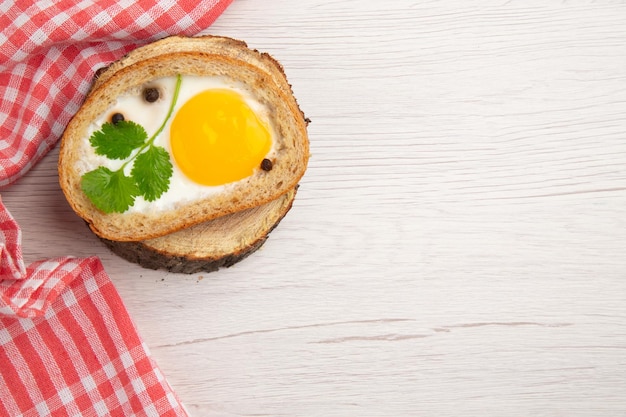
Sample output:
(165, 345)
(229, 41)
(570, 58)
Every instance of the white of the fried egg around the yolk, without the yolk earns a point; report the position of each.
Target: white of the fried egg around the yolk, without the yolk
(182, 190)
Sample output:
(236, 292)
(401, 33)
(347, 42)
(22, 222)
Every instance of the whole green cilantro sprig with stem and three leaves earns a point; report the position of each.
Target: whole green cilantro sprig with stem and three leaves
(114, 191)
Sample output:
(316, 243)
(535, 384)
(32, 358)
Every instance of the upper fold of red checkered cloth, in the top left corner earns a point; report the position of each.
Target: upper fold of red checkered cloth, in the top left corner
(49, 51)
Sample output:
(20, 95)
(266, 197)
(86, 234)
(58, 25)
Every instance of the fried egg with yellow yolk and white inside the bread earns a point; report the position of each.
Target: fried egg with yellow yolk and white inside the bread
(218, 134)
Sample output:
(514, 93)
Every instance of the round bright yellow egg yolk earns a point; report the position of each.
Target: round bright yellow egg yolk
(216, 138)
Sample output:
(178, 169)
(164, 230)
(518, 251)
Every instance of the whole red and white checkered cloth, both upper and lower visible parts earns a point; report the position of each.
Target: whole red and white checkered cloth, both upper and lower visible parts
(67, 344)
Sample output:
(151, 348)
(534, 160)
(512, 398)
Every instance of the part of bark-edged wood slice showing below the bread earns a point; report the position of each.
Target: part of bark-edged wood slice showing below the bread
(211, 245)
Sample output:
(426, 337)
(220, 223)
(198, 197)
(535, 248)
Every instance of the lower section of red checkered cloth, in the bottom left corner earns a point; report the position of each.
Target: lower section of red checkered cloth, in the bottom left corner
(68, 346)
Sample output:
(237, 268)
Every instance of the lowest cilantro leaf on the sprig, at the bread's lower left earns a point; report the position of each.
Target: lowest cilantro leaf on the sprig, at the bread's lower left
(110, 191)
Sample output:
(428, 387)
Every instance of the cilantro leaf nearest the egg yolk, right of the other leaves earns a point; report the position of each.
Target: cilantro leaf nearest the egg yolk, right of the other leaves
(152, 171)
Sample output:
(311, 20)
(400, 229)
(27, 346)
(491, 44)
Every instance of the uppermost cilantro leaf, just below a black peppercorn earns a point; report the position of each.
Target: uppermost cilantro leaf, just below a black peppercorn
(117, 141)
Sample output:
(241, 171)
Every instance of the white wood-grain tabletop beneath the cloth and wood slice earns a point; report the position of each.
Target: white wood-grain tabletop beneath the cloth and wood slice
(457, 246)
